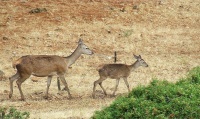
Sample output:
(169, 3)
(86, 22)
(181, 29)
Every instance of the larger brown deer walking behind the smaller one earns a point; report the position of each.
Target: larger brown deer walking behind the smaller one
(45, 66)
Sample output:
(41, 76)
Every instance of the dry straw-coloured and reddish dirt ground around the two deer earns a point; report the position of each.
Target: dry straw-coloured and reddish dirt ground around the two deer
(164, 32)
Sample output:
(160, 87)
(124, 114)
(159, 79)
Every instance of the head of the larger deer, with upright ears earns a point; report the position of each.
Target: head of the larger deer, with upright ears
(83, 48)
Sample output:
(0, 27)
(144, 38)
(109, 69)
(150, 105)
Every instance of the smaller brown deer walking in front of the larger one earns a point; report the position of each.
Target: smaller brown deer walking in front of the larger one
(117, 71)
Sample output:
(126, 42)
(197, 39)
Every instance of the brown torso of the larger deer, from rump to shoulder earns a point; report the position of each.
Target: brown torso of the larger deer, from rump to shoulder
(41, 65)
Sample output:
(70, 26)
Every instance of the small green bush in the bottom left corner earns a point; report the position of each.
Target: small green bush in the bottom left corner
(13, 113)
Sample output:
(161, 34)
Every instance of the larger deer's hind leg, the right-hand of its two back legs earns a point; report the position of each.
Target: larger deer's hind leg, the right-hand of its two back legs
(22, 78)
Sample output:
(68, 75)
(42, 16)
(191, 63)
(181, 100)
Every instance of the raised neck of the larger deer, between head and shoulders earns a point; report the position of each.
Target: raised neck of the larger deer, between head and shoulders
(73, 57)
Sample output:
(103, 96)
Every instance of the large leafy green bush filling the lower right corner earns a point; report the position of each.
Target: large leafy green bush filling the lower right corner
(159, 100)
